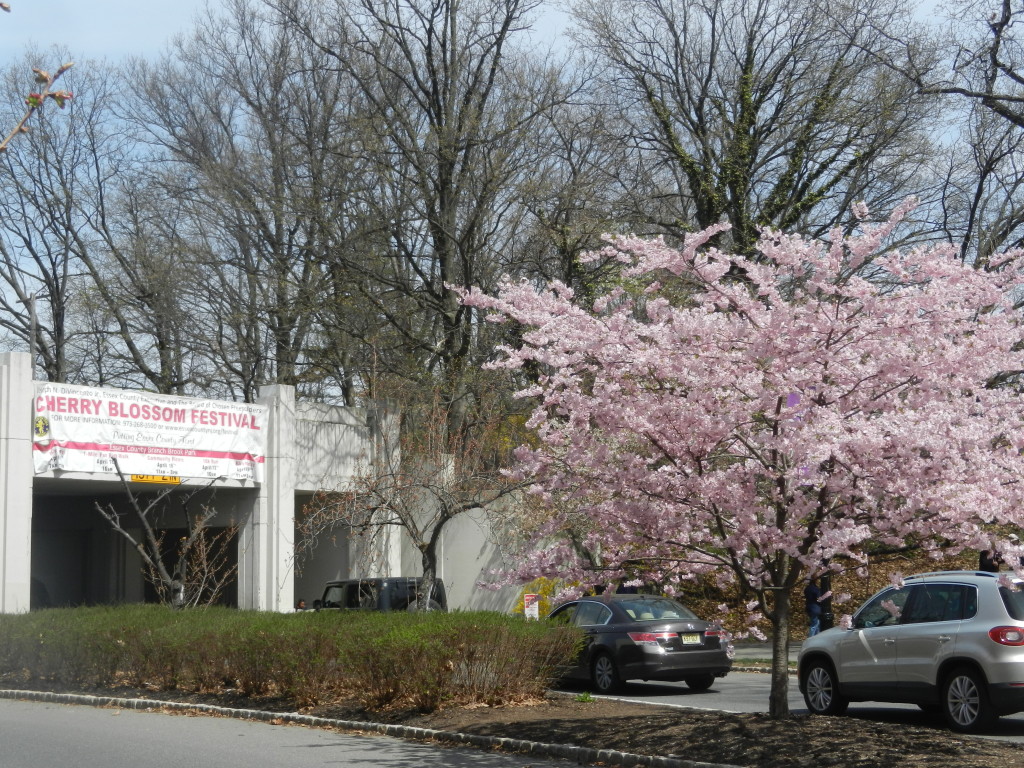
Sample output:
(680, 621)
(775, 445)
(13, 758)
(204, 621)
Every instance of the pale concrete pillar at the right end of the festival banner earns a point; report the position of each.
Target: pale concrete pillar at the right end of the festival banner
(267, 542)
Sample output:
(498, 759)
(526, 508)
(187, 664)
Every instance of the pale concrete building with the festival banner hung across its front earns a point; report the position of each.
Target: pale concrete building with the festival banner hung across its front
(253, 464)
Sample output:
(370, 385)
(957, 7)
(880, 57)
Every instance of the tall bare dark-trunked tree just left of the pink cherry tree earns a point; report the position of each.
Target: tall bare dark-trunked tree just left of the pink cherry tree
(452, 107)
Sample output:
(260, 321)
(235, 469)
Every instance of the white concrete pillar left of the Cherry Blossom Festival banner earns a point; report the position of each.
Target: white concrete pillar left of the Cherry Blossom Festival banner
(16, 482)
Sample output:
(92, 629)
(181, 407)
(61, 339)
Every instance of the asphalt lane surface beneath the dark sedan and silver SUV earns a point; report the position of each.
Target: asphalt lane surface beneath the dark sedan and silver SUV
(748, 692)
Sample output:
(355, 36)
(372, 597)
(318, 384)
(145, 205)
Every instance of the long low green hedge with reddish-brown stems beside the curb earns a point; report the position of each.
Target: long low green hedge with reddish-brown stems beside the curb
(383, 661)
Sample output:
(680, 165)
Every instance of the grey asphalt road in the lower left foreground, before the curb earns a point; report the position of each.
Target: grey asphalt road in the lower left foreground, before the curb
(37, 736)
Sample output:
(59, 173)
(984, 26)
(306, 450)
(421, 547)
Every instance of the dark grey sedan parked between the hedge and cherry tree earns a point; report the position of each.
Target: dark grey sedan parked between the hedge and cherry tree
(643, 637)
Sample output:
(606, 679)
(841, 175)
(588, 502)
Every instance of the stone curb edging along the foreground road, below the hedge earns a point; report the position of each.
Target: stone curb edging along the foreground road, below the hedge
(580, 755)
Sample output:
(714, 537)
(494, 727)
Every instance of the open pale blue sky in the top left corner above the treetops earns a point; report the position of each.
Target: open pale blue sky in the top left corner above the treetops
(96, 29)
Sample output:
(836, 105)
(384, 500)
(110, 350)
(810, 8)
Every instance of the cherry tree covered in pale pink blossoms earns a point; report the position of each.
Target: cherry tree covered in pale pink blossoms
(761, 420)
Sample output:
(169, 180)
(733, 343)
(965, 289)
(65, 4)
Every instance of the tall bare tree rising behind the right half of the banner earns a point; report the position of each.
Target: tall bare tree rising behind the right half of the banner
(243, 119)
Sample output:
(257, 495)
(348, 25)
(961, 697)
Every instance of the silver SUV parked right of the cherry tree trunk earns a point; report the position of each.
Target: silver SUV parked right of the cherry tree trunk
(950, 642)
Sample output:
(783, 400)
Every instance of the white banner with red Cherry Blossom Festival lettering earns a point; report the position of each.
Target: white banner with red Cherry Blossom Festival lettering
(86, 430)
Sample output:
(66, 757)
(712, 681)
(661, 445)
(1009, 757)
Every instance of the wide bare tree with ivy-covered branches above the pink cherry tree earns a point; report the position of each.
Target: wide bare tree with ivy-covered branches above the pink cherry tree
(757, 113)
